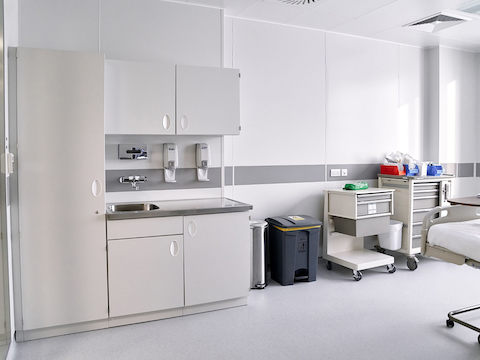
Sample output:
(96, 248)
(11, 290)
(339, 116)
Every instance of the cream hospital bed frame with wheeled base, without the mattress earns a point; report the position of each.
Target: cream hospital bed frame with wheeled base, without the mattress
(450, 214)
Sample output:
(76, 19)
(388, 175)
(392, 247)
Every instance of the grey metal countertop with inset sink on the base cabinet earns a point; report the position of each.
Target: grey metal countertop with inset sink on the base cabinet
(179, 208)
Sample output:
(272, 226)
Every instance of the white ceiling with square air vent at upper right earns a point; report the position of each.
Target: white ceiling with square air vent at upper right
(376, 19)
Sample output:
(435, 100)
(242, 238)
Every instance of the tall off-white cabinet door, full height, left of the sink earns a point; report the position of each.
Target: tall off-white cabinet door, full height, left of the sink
(60, 170)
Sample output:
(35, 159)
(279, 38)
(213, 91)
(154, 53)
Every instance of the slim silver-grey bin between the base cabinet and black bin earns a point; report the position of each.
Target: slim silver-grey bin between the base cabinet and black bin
(258, 267)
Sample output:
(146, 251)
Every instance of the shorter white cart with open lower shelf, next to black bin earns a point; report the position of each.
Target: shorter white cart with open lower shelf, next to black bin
(349, 216)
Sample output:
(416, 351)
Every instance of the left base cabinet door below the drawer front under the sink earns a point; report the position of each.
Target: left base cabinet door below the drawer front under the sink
(145, 274)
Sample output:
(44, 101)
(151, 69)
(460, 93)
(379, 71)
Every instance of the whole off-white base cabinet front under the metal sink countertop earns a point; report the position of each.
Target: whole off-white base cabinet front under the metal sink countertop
(165, 263)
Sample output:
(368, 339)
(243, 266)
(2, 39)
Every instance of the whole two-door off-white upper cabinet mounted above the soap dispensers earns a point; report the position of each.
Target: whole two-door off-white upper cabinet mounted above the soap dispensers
(140, 99)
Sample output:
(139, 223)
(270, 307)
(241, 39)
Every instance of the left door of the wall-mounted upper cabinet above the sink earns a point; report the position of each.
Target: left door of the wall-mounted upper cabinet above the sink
(139, 98)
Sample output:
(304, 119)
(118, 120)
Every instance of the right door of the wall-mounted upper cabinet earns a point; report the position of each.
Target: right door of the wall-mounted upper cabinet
(208, 101)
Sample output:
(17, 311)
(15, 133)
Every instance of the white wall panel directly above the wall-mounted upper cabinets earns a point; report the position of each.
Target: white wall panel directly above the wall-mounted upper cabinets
(152, 30)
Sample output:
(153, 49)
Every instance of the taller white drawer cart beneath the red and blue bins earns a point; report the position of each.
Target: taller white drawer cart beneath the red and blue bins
(413, 198)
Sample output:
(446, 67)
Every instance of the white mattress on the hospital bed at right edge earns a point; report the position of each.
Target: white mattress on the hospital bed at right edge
(459, 237)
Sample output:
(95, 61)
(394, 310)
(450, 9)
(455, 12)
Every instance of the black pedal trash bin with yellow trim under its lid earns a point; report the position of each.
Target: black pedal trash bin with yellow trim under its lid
(293, 242)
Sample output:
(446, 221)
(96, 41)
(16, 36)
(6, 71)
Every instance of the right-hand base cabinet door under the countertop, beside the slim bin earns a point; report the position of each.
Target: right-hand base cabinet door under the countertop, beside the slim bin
(217, 257)
